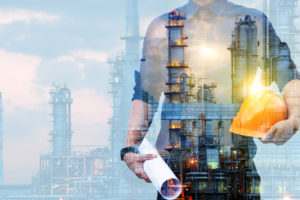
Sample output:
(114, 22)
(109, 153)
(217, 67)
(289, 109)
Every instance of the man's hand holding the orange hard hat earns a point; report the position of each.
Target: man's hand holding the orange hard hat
(280, 133)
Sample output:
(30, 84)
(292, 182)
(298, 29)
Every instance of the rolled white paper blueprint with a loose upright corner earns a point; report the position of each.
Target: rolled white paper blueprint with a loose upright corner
(161, 176)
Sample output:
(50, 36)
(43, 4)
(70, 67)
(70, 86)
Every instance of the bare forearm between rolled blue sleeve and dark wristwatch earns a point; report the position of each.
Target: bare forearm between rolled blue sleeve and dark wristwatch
(136, 122)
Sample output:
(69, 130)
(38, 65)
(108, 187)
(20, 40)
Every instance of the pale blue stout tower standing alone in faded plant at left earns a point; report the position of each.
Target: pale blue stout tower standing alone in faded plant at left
(61, 112)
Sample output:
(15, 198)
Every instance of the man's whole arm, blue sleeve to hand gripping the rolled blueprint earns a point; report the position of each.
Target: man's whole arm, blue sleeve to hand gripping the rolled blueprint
(145, 81)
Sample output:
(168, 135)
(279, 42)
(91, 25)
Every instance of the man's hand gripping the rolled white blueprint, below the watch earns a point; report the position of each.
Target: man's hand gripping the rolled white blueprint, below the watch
(135, 163)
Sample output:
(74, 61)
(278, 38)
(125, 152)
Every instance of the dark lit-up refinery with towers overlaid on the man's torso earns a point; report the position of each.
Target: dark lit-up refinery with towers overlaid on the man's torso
(199, 127)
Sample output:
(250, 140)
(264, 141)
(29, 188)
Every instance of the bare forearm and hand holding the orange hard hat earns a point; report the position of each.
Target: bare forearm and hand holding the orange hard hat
(281, 132)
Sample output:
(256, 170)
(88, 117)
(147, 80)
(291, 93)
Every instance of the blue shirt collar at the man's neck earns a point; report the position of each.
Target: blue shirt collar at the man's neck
(218, 7)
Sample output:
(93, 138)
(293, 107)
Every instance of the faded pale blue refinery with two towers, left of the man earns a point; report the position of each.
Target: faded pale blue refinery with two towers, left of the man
(99, 173)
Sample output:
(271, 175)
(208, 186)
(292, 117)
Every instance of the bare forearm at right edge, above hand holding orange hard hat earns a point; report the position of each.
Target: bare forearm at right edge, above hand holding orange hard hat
(291, 94)
